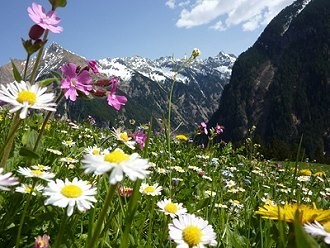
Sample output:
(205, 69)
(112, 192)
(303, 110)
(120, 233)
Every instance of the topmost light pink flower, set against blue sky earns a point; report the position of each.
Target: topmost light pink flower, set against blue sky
(47, 21)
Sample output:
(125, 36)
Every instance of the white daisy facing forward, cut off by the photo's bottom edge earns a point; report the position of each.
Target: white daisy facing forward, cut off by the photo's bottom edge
(189, 230)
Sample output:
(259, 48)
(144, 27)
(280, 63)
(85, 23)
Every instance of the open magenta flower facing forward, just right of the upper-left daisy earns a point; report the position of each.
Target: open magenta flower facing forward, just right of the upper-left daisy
(74, 81)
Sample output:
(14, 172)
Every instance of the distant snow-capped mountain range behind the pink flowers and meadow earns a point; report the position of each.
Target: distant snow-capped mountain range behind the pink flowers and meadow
(146, 84)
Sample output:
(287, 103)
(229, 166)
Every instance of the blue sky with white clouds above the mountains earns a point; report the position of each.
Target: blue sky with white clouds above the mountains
(149, 28)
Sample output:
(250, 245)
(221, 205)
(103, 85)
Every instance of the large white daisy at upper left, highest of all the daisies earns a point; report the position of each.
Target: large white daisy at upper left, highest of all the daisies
(23, 96)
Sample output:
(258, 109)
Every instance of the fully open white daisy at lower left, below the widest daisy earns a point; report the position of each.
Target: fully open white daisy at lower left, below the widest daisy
(68, 194)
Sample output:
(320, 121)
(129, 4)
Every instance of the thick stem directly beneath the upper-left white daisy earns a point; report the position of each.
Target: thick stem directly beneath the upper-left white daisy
(5, 151)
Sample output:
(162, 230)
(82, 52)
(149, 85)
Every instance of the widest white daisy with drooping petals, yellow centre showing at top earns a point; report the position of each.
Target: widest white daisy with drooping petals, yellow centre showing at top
(117, 163)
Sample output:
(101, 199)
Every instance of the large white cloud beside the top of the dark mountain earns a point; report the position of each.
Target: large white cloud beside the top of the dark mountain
(223, 14)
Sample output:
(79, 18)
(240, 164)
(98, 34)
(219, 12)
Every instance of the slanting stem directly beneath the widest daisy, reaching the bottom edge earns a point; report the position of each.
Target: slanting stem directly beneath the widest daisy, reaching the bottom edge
(93, 241)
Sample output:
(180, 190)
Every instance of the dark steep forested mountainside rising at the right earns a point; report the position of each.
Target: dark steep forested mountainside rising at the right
(281, 85)
